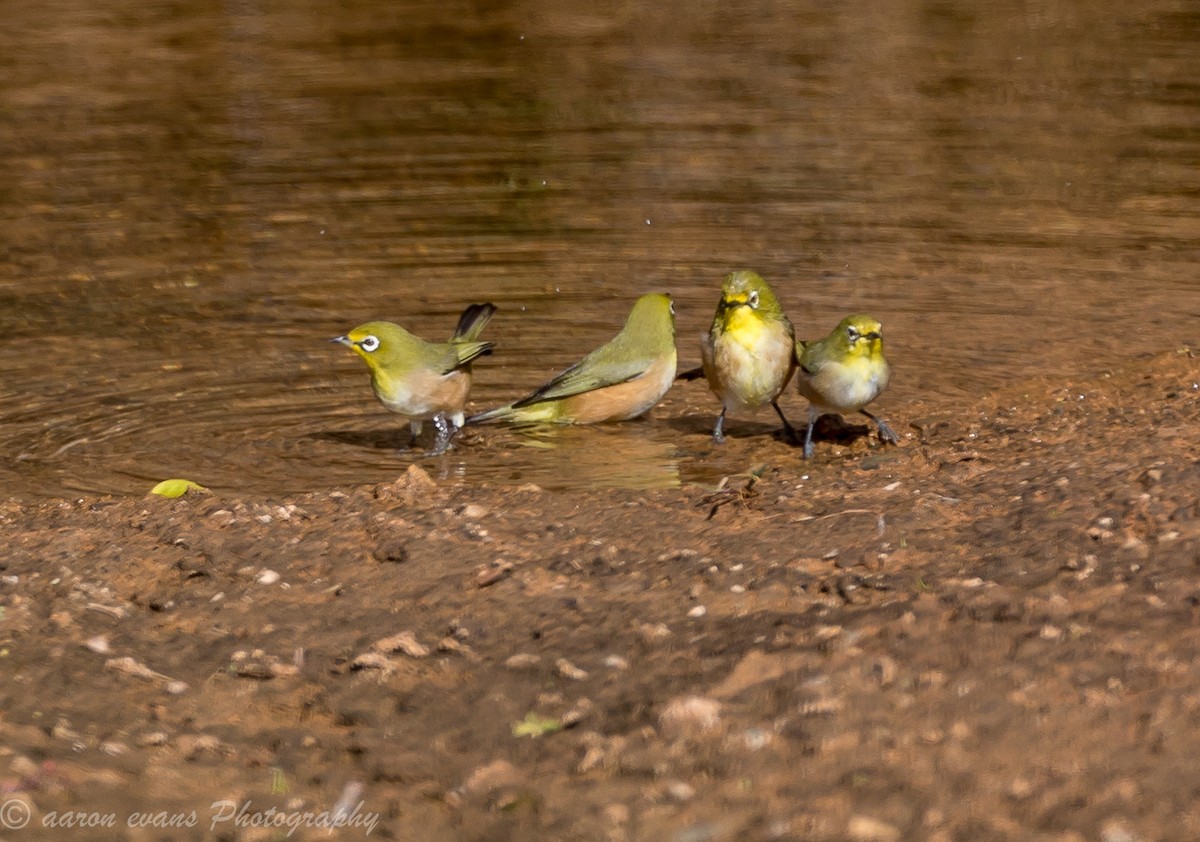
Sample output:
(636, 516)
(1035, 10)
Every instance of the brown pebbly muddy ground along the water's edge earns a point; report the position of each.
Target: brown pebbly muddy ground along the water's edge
(989, 633)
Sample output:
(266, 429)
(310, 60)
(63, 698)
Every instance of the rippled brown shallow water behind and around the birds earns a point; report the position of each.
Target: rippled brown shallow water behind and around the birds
(196, 196)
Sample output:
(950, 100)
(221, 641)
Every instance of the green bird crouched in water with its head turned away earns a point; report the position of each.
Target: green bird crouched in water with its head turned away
(616, 382)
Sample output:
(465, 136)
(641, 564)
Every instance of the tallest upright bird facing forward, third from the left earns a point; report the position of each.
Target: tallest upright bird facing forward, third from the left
(749, 351)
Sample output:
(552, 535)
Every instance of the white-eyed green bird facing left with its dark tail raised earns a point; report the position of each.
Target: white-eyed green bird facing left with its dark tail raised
(423, 381)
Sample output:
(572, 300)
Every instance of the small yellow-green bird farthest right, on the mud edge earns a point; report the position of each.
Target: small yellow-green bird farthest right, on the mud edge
(843, 374)
